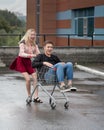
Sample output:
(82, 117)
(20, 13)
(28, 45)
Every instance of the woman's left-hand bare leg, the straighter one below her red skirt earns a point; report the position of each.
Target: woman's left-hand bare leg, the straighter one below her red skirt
(28, 85)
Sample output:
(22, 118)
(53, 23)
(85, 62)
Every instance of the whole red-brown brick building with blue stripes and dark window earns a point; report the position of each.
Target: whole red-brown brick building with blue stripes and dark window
(76, 22)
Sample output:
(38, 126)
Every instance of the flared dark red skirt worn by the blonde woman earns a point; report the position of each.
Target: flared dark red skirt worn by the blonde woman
(22, 65)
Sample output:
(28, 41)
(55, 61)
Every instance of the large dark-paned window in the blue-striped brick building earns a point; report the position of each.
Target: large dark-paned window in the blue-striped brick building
(84, 21)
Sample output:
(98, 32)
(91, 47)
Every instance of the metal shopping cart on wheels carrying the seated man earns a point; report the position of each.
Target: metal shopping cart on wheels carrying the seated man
(47, 77)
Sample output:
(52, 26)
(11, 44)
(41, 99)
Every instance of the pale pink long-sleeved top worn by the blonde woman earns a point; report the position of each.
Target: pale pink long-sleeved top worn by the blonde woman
(25, 50)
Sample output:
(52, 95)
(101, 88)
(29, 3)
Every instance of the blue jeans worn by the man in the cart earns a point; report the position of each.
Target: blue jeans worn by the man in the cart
(62, 71)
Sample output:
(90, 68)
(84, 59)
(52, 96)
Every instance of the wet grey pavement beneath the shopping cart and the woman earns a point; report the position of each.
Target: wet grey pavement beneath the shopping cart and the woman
(85, 112)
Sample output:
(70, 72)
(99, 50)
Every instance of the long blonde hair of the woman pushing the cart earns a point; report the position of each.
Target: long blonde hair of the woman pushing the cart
(25, 38)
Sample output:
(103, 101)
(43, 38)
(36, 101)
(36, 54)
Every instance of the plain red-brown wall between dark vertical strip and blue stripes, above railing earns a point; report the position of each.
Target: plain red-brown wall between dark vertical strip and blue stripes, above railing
(48, 16)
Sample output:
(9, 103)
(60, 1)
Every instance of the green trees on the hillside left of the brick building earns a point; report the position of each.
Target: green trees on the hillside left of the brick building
(10, 24)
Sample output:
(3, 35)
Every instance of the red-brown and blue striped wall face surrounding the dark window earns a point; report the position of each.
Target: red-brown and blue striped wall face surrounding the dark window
(64, 20)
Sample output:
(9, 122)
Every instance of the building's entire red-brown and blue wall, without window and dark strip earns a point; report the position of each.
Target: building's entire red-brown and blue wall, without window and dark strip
(56, 17)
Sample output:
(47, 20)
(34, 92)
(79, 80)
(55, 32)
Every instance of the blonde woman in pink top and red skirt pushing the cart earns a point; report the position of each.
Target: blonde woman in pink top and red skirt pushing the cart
(27, 50)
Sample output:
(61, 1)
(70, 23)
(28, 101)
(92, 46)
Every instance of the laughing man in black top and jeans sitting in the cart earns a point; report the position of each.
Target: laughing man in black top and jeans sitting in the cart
(54, 63)
